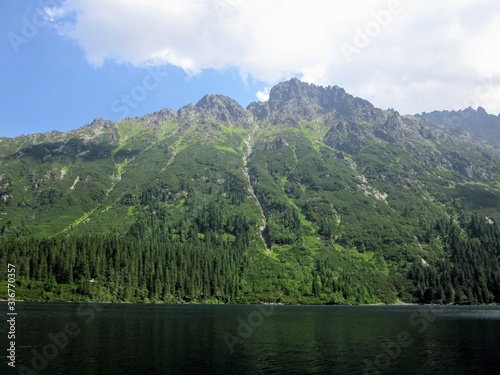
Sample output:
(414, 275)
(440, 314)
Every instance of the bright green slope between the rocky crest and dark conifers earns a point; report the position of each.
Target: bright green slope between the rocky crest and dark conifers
(361, 214)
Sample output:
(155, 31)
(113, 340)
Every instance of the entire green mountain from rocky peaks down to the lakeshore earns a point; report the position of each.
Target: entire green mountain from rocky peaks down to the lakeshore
(314, 196)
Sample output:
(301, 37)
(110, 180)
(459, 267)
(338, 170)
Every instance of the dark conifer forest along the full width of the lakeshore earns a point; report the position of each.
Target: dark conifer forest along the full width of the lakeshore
(210, 270)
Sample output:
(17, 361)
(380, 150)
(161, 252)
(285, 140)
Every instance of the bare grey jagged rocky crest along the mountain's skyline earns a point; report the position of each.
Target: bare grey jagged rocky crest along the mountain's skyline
(304, 102)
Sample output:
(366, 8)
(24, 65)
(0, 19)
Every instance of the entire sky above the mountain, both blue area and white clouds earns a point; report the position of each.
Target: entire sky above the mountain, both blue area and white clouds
(65, 62)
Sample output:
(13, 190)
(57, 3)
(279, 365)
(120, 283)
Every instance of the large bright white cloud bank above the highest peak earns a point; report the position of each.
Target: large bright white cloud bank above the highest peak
(416, 55)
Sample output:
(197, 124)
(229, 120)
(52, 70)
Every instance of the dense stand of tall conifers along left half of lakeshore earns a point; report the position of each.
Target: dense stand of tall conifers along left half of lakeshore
(125, 268)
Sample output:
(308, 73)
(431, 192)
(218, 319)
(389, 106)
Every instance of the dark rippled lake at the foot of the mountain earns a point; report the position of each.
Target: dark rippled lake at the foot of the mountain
(71, 338)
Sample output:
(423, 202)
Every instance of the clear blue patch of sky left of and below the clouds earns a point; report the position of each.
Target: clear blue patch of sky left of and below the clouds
(47, 83)
